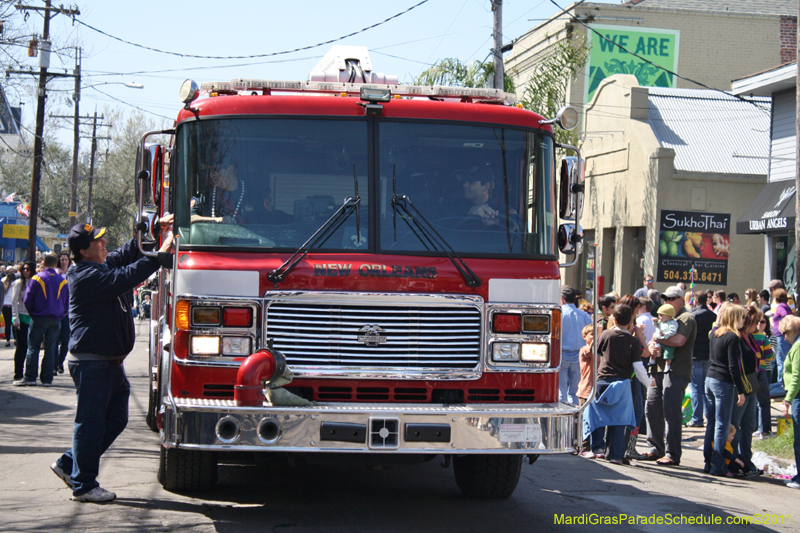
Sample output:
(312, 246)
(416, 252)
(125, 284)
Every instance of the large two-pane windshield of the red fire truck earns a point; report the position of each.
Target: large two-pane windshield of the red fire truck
(269, 184)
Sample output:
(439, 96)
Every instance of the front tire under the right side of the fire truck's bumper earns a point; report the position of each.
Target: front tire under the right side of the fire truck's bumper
(487, 476)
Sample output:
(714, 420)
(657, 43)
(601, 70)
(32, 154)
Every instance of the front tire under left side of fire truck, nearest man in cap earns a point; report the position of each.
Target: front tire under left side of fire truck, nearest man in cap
(187, 470)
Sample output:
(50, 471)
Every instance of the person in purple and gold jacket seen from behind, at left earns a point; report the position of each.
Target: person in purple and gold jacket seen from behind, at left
(46, 299)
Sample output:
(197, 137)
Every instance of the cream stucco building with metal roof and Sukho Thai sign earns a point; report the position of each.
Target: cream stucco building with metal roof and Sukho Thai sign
(668, 173)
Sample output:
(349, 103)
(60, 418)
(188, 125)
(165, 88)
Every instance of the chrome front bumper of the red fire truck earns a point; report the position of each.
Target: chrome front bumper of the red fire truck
(398, 428)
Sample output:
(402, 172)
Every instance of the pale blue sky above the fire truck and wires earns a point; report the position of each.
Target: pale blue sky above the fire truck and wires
(403, 46)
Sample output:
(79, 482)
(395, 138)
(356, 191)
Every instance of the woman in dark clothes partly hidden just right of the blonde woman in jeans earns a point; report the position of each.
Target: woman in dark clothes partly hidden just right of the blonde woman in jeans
(745, 417)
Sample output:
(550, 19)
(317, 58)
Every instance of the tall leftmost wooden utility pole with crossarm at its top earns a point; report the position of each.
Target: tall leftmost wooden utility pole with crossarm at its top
(44, 63)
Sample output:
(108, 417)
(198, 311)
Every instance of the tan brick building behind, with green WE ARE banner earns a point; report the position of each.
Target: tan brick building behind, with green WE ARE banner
(713, 42)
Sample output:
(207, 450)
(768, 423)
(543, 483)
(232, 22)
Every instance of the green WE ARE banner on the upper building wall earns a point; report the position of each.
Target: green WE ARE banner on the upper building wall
(606, 58)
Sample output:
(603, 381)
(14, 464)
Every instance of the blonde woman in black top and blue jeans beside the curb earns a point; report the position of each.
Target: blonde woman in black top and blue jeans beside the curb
(723, 388)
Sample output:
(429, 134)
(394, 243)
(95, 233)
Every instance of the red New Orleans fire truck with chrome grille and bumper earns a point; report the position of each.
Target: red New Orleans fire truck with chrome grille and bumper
(360, 267)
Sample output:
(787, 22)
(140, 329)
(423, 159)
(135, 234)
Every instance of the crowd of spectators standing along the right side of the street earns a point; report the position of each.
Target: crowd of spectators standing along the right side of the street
(735, 358)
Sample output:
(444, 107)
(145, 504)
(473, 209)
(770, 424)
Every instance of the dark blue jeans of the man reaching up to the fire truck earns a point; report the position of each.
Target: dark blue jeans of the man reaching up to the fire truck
(102, 414)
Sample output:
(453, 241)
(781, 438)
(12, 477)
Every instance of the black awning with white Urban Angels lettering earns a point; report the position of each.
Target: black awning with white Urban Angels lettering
(772, 211)
